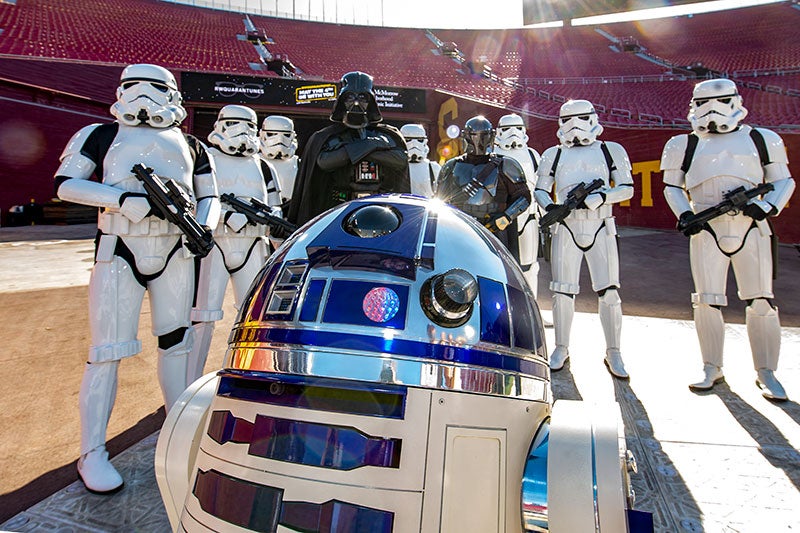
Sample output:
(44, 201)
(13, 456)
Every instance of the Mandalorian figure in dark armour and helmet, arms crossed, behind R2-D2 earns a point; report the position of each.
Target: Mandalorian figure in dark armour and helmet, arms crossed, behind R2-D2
(489, 187)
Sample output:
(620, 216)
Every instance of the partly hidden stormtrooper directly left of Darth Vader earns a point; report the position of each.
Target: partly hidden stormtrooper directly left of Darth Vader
(278, 146)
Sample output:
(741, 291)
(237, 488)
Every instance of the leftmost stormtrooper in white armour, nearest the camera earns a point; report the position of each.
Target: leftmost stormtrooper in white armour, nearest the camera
(136, 251)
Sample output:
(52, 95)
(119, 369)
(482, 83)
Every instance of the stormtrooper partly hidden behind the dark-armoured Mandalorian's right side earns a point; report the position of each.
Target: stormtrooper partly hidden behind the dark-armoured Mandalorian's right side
(511, 140)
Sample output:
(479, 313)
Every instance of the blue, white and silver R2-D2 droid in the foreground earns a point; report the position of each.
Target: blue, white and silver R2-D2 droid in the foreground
(388, 372)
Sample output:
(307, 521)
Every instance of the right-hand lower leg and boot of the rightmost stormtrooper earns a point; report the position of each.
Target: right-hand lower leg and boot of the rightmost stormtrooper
(764, 331)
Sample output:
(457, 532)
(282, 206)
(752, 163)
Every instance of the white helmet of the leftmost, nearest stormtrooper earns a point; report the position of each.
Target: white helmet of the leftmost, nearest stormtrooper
(148, 94)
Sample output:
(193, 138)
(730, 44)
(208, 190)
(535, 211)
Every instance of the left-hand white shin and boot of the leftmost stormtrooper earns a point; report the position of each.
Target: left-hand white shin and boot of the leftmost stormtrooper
(98, 389)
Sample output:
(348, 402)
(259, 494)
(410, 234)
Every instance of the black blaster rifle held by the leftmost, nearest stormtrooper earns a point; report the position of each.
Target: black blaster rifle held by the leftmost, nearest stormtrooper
(174, 205)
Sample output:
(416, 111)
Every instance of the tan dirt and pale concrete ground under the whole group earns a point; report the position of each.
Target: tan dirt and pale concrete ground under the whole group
(723, 461)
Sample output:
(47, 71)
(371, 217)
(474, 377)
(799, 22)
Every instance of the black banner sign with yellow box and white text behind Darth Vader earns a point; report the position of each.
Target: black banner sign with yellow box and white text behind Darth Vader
(252, 90)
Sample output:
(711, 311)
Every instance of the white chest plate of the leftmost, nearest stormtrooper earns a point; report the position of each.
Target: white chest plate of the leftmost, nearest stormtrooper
(164, 150)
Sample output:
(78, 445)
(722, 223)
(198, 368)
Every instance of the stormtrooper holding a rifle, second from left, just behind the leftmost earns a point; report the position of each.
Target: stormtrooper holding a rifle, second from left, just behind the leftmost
(240, 249)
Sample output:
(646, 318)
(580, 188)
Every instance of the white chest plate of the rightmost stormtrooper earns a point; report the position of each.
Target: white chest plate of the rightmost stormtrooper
(731, 155)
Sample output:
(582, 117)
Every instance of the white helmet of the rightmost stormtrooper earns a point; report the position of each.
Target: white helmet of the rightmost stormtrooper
(716, 107)
